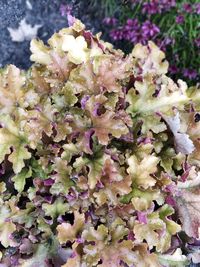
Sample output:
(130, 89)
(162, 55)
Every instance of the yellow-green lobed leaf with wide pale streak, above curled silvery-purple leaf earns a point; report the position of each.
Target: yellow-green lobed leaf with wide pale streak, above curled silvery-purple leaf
(170, 95)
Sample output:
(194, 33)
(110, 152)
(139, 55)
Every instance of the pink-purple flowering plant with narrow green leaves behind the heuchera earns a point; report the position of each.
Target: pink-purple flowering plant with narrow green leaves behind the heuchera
(172, 25)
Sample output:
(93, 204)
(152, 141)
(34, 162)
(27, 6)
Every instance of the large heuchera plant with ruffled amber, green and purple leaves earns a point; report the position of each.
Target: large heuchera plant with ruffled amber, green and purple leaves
(100, 157)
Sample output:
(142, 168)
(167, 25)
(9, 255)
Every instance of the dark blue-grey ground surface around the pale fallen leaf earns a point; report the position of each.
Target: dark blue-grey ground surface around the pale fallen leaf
(38, 12)
